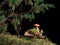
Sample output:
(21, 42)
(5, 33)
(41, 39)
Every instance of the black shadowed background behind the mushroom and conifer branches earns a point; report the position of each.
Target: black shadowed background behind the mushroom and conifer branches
(49, 22)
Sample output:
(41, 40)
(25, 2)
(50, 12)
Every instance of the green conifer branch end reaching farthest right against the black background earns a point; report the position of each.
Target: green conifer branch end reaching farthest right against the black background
(42, 7)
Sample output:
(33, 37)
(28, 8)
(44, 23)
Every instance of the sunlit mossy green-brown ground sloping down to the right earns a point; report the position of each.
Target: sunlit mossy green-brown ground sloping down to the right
(7, 39)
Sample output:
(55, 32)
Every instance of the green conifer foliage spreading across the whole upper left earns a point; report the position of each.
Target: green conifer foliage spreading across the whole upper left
(37, 6)
